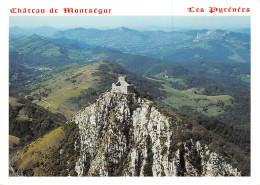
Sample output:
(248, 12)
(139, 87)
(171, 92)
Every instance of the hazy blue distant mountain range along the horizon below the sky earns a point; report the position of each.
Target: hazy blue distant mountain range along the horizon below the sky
(178, 46)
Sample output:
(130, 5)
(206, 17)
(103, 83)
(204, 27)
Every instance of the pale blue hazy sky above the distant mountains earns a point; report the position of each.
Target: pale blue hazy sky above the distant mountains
(137, 22)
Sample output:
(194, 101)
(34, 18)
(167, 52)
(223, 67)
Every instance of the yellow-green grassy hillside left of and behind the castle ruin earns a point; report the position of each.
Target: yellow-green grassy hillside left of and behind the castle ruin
(65, 85)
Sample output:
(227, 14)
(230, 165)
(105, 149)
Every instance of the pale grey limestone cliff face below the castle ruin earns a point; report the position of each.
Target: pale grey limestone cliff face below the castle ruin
(126, 135)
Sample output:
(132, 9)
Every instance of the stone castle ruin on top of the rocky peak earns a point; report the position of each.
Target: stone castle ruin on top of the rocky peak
(122, 86)
